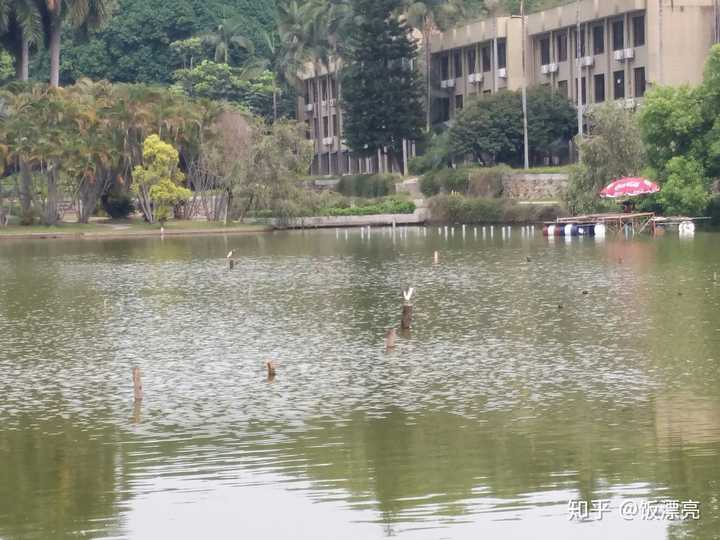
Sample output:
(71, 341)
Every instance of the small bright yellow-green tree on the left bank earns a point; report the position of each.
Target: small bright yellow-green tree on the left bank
(157, 183)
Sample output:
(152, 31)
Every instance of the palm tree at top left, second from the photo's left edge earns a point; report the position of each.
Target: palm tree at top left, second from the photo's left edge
(84, 15)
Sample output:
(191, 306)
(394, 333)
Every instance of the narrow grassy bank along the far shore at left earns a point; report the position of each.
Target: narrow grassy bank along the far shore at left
(126, 228)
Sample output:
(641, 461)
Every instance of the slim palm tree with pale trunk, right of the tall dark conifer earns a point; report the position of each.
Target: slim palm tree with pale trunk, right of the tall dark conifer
(428, 16)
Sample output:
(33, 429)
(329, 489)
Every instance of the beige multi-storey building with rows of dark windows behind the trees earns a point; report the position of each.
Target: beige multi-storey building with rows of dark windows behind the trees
(625, 47)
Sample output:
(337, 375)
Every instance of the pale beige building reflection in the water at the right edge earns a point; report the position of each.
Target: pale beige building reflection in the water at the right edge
(686, 420)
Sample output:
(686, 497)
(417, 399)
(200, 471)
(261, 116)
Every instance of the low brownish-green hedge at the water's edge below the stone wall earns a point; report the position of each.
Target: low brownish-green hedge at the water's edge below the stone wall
(457, 209)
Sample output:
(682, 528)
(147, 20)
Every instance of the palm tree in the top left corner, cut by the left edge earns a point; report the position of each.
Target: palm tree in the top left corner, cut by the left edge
(21, 24)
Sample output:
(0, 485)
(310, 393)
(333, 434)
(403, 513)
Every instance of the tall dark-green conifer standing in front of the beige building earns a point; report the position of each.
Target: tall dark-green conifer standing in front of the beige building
(382, 92)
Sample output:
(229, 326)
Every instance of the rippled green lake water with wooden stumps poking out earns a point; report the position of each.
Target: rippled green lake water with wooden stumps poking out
(497, 409)
